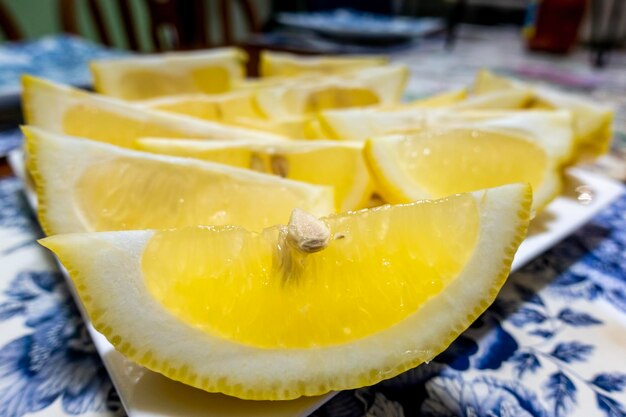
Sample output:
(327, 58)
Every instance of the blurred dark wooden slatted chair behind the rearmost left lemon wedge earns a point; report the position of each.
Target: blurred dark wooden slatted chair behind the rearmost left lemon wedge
(173, 24)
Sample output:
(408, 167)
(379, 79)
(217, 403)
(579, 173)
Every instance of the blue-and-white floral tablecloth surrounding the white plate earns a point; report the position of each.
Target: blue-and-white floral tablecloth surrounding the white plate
(553, 343)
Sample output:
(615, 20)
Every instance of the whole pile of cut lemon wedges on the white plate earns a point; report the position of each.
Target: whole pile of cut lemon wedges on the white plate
(210, 242)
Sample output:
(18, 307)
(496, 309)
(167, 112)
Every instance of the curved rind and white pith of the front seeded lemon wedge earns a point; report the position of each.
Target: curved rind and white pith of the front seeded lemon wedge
(270, 374)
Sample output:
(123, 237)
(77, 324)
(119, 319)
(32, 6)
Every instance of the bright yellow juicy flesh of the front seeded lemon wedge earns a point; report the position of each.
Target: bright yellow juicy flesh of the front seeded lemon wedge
(255, 289)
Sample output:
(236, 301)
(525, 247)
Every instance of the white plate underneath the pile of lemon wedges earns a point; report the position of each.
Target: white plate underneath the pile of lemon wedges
(148, 394)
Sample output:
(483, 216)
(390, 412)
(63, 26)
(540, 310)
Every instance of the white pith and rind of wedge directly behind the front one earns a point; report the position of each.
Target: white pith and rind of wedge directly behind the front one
(47, 158)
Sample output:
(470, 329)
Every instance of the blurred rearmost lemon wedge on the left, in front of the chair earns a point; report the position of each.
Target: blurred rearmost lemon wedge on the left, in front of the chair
(146, 76)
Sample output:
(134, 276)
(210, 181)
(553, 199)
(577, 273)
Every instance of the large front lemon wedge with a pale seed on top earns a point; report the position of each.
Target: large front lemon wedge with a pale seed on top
(302, 309)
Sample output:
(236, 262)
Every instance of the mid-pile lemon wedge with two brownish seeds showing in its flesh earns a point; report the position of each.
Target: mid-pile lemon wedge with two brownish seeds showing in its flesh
(337, 164)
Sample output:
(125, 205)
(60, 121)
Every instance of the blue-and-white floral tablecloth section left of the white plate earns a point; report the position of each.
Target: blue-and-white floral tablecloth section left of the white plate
(48, 362)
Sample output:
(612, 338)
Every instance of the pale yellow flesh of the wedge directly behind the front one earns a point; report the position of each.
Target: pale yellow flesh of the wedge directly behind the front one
(129, 193)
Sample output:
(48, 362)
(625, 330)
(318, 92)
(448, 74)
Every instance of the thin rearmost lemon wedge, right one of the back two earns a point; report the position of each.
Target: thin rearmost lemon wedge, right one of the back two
(283, 64)
